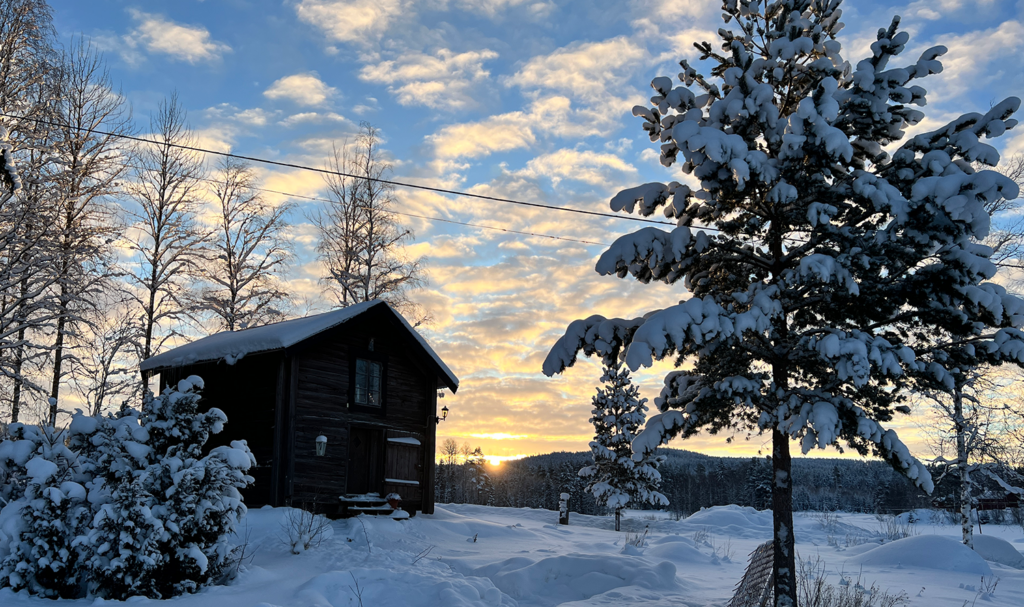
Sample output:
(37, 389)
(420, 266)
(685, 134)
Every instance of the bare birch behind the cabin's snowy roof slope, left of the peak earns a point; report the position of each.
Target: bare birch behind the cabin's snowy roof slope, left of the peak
(248, 250)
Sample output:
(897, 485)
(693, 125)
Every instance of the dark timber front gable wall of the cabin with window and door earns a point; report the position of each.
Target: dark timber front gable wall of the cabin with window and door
(321, 386)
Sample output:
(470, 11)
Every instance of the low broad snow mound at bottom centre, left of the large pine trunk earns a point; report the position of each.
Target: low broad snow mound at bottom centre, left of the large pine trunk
(554, 581)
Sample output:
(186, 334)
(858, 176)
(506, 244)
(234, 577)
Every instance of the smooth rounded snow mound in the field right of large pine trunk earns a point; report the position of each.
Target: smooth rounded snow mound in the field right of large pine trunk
(925, 552)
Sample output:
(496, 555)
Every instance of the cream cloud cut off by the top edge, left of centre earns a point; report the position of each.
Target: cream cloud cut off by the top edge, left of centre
(351, 21)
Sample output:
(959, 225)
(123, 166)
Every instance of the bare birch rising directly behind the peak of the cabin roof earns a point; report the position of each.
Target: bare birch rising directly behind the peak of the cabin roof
(360, 237)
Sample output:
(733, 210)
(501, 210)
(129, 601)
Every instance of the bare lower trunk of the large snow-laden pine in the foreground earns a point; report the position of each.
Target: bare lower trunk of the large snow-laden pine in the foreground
(785, 562)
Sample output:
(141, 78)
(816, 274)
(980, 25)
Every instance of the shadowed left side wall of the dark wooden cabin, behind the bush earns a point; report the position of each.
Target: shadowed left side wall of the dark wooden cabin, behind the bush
(245, 392)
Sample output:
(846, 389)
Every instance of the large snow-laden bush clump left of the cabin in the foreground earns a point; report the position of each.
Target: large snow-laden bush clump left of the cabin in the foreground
(121, 505)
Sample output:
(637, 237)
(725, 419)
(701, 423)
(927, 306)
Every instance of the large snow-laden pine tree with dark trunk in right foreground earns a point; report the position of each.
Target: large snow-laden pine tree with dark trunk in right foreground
(835, 276)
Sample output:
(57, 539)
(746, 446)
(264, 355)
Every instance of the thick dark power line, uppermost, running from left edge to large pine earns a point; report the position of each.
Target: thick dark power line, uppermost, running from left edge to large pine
(340, 175)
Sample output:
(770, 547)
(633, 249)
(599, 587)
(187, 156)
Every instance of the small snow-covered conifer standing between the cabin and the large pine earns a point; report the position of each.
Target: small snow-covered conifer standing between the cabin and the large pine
(616, 480)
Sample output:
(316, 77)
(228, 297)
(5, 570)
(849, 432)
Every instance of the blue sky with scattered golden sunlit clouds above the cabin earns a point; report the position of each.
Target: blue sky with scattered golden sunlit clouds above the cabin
(514, 99)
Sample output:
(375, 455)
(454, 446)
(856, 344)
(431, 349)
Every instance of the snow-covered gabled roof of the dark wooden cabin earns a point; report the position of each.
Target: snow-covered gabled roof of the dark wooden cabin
(231, 346)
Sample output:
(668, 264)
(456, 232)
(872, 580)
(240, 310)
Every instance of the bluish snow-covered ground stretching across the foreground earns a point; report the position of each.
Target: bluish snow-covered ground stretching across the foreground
(474, 555)
